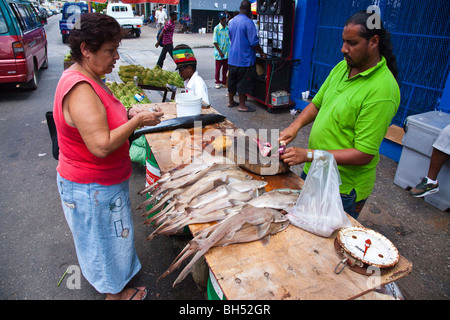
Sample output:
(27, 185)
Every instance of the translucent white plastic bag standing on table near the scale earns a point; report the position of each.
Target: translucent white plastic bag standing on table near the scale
(319, 207)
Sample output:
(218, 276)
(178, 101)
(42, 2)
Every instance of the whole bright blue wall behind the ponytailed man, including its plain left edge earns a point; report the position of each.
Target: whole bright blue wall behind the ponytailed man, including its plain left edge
(420, 35)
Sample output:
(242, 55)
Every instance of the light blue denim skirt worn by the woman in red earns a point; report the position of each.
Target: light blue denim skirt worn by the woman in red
(100, 220)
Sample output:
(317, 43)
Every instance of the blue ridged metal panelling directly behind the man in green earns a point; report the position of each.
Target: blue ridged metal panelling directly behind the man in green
(420, 33)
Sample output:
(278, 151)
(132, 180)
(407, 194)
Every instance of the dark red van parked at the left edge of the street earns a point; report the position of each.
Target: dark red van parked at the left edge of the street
(23, 43)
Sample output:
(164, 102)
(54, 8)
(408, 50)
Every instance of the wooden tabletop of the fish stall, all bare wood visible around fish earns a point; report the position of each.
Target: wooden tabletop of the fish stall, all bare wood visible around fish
(295, 264)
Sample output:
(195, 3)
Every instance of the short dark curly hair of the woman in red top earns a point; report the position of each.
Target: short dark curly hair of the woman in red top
(94, 29)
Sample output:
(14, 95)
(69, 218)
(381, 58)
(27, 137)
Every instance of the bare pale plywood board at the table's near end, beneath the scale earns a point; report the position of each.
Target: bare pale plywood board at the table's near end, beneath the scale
(295, 264)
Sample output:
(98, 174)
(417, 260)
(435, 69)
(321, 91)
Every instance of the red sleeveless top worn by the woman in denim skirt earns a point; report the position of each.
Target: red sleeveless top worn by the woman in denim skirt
(76, 162)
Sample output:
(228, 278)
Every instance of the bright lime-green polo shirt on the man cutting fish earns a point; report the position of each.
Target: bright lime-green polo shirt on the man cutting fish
(355, 113)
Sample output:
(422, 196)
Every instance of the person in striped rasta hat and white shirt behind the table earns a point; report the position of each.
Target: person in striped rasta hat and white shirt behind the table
(187, 68)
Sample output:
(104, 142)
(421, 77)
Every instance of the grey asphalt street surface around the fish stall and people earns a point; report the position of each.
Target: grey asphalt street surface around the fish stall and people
(36, 246)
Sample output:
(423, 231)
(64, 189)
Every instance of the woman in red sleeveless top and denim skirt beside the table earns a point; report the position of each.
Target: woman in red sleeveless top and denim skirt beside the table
(94, 164)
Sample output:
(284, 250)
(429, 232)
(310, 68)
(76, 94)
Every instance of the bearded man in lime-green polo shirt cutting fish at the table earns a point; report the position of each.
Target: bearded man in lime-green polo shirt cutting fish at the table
(352, 111)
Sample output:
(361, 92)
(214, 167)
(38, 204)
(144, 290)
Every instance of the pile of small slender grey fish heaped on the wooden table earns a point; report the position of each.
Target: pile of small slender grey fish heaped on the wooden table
(215, 190)
